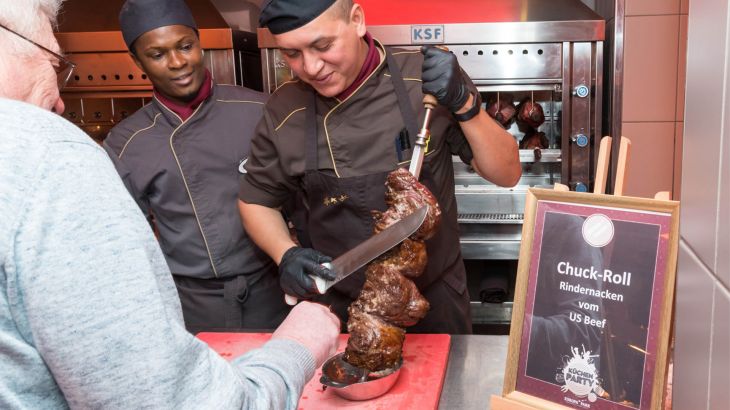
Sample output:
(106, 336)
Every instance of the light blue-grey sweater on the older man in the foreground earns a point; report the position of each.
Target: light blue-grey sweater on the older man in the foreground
(89, 315)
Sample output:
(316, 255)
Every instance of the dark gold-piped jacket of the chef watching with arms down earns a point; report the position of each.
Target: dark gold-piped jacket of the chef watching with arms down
(185, 173)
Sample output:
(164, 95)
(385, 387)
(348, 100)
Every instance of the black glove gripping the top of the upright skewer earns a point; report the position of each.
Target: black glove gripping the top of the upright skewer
(443, 78)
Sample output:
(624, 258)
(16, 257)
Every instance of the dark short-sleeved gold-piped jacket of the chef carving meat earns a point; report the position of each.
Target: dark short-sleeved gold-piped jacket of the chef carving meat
(355, 137)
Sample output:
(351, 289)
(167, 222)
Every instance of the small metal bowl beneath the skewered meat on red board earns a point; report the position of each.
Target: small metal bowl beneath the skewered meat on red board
(354, 383)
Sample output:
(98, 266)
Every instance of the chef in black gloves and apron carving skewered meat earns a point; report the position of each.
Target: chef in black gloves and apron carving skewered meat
(349, 118)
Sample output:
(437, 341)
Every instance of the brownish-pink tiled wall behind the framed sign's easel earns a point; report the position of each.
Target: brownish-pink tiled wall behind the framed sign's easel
(655, 38)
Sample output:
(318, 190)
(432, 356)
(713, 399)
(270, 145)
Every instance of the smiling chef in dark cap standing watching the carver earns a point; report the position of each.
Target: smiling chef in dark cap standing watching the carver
(179, 157)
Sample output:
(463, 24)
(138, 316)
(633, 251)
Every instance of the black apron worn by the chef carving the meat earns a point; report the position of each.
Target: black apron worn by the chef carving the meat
(334, 229)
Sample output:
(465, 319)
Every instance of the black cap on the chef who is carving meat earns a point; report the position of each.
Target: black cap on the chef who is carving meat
(280, 16)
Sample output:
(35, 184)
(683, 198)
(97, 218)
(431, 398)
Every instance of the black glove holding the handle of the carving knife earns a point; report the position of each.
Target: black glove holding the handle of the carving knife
(296, 266)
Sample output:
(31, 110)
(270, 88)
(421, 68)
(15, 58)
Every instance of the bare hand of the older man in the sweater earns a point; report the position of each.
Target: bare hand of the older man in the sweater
(313, 326)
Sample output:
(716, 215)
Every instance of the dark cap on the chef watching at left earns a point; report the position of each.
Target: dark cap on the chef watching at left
(140, 16)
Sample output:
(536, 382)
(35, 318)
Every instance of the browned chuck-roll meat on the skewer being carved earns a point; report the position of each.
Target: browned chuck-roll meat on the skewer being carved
(389, 300)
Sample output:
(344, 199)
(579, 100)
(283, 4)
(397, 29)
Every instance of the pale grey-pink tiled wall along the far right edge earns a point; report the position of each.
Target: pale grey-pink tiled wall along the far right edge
(702, 345)
